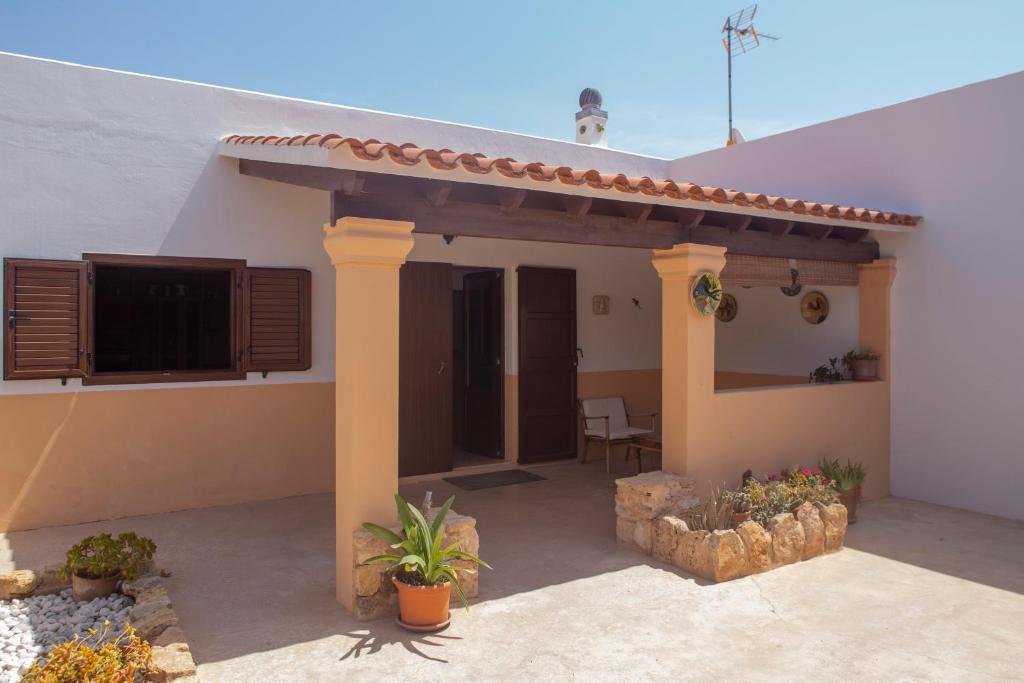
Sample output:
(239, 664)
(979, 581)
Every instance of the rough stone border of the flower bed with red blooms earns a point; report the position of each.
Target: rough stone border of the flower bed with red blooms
(652, 509)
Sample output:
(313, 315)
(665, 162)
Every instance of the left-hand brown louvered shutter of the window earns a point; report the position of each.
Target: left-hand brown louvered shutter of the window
(46, 319)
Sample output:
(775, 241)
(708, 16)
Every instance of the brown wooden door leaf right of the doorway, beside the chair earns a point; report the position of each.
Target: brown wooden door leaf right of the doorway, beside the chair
(547, 364)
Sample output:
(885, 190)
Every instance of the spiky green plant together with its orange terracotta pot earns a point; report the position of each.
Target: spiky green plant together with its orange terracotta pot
(422, 570)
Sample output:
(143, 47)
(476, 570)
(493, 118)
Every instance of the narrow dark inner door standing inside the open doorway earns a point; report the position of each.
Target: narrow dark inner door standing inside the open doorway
(484, 373)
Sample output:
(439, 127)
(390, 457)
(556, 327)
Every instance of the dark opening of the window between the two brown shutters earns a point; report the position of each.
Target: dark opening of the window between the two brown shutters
(162, 320)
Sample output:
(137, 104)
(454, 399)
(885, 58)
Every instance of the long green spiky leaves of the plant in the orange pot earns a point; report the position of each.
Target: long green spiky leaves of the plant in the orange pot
(422, 561)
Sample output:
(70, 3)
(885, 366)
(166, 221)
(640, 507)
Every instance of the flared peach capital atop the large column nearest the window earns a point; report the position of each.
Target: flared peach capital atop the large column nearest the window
(355, 241)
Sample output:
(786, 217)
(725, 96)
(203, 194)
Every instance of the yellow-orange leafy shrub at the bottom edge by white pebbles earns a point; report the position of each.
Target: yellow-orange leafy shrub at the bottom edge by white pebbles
(96, 658)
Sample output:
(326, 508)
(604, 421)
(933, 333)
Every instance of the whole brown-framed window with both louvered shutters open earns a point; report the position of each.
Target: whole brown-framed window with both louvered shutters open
(114, 319)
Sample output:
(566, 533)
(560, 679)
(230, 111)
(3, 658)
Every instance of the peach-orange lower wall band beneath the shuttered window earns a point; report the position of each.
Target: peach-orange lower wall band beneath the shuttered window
(77, 457)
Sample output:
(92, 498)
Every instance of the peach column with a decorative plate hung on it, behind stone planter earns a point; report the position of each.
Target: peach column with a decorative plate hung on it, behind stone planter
(688, 348)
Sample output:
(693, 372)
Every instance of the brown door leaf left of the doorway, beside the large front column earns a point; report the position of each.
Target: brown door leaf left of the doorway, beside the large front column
(425, 369)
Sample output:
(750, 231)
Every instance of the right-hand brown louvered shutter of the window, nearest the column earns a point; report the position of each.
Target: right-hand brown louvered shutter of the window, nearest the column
(277, 321)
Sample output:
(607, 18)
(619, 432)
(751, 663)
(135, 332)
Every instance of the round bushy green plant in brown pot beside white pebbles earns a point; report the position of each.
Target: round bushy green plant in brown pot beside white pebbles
(99, 563)
